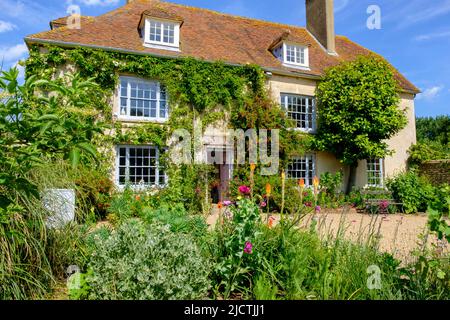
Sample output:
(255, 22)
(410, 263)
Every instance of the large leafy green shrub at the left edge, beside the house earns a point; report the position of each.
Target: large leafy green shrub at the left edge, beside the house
(38, 129)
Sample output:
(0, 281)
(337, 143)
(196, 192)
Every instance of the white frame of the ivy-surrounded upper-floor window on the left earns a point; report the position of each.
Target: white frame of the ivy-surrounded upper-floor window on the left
(128, 116)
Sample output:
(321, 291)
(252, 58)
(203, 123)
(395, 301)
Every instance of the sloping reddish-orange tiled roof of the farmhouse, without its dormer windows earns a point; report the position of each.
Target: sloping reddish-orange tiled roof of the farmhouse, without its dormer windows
(207, 35)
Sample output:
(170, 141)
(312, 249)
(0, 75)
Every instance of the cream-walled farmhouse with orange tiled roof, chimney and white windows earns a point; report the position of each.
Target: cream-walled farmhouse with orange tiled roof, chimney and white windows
(293, 59)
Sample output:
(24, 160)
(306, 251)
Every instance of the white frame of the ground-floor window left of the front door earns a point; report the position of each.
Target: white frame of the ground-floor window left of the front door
(127, 168)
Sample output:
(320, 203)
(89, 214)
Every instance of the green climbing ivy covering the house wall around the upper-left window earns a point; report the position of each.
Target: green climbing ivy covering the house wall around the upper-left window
(197, 90)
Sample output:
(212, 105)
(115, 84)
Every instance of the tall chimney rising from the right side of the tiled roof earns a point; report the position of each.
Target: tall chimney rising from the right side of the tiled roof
(320, 22)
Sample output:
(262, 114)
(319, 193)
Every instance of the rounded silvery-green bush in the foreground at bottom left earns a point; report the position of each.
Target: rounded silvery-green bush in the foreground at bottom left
(148, 262)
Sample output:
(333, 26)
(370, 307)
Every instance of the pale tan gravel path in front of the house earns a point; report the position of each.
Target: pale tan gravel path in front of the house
(399, 234)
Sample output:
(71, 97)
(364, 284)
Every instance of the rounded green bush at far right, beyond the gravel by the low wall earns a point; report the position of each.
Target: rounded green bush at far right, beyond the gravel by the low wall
(413, 191)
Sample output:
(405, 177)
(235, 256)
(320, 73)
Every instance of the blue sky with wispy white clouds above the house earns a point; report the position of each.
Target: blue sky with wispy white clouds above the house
(414, 34)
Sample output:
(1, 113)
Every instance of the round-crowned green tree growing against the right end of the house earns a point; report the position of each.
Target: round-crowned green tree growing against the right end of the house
(358, 111)
